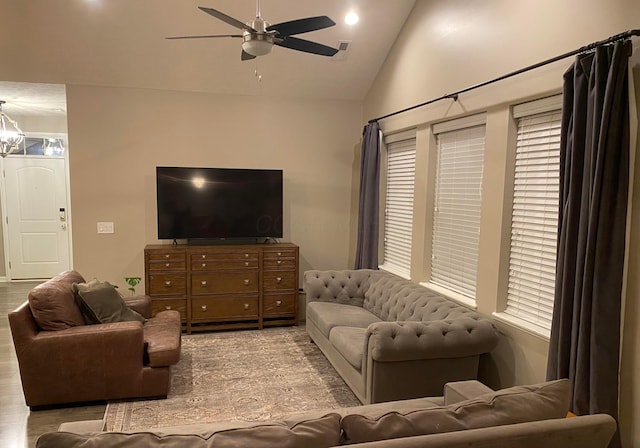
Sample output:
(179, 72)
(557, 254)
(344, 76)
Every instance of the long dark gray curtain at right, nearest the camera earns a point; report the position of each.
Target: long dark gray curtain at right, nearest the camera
(594, 167)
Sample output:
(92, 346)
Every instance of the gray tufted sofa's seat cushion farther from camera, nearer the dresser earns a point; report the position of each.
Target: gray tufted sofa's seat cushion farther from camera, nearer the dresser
(327, 315)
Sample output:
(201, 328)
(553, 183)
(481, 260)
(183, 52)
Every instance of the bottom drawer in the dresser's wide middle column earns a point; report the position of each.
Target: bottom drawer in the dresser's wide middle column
(224, 308)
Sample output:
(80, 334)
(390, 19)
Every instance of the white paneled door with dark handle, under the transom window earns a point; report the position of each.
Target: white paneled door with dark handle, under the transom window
(36, 217)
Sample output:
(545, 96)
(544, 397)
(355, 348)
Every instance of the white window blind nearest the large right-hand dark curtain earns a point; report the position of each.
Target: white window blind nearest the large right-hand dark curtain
(534, 219)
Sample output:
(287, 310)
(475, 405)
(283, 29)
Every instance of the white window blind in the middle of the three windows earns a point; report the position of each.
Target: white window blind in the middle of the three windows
(456, 216)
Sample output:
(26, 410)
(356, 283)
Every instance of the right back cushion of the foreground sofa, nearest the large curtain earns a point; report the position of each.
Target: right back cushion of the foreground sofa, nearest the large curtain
(514, 405)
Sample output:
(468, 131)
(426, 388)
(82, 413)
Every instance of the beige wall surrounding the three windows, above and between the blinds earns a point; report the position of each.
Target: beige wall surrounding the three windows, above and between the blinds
(447, 45)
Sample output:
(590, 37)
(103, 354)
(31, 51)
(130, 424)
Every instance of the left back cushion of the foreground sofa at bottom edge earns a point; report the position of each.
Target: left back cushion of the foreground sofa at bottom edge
(321, 433)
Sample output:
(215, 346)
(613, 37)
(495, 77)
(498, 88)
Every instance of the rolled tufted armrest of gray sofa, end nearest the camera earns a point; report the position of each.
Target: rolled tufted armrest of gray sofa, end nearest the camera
(409, 340)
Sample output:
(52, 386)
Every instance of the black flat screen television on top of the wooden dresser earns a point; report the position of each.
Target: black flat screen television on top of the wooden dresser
(218, 203)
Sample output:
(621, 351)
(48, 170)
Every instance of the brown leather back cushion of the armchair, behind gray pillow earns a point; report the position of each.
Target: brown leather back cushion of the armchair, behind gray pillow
(53, 305)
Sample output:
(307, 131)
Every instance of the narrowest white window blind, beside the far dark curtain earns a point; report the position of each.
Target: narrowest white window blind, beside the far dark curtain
(398, 218)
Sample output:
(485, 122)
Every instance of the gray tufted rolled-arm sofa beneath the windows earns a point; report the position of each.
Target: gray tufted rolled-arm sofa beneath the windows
(391, 339)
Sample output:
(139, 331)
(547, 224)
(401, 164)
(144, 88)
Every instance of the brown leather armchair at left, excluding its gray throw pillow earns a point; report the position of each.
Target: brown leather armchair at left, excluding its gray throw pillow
(64, 360)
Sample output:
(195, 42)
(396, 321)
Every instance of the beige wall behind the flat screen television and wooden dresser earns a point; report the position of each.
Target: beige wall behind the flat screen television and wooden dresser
(118, 136)
